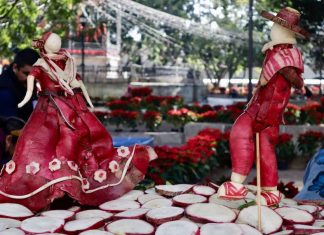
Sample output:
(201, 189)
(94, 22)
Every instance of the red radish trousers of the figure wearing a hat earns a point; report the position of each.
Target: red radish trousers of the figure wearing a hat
(242, 147)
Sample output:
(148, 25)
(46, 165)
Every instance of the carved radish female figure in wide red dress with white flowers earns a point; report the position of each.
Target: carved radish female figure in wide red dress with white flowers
(63, 148)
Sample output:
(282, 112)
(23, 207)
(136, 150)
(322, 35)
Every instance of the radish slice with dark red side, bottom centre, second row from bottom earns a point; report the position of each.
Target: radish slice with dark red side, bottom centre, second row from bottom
(161, 215)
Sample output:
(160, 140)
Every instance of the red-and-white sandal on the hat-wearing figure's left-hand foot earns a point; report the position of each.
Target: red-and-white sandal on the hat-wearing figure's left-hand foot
(232, 191)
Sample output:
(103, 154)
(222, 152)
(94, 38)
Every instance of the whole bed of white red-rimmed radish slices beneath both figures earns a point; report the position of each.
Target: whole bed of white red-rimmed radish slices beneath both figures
(166, 210)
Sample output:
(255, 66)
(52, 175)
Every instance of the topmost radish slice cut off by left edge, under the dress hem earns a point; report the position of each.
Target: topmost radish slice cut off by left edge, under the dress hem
(14, 211)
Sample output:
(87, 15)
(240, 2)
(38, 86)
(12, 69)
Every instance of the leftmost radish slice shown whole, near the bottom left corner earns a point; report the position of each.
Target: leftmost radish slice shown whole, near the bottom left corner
(42, 225)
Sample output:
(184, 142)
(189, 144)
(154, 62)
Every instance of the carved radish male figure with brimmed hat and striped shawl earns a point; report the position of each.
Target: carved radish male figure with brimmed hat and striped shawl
(282, 69)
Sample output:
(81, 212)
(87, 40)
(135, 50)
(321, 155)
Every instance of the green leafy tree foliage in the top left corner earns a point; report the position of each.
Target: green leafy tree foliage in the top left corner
(19, 21)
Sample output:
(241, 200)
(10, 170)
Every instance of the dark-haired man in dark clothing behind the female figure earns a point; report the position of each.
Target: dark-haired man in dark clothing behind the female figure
(13, 85)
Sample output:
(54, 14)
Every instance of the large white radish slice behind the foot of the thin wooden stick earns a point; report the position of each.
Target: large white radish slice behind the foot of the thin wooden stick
(271, 221)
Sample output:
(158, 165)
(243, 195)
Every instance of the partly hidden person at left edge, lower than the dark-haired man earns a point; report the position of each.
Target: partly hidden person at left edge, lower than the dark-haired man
(9, 133)
